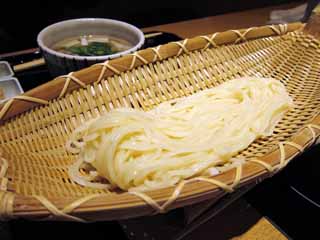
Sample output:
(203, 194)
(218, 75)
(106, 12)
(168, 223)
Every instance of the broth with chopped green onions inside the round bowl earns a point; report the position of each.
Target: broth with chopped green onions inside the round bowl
(91, 45)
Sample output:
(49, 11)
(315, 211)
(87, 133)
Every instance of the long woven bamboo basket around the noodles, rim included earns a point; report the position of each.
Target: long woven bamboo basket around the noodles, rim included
(34, 182)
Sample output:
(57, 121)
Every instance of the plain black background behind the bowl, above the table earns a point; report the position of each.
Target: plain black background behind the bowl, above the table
(20, 21)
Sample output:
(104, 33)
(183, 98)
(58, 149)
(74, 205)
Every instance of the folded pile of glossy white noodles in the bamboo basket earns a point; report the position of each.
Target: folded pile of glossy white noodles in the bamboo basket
(180, 139)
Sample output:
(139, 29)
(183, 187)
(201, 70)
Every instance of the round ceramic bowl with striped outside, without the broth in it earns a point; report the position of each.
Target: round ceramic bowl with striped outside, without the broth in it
(61, 63)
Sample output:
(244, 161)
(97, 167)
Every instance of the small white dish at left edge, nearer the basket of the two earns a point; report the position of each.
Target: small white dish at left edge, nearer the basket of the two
(11, 88)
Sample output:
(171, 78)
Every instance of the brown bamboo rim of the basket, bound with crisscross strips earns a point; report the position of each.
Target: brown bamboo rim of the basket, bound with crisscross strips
(16, 205)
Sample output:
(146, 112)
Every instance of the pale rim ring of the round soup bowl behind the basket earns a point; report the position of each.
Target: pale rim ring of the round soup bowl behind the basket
(45, 48)
